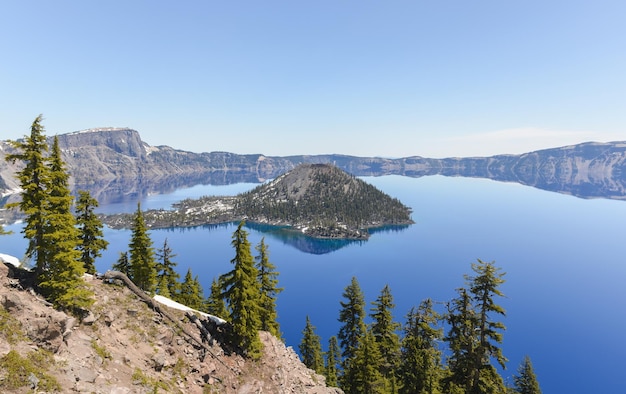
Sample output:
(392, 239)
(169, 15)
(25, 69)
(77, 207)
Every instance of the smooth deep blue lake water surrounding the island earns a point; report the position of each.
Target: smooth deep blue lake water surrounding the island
(563, 257)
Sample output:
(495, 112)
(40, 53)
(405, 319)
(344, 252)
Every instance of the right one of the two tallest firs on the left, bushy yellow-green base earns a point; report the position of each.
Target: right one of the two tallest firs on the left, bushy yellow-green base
(62, 282)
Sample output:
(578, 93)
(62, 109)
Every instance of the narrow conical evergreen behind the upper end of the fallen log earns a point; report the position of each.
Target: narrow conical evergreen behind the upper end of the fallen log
(142, 263)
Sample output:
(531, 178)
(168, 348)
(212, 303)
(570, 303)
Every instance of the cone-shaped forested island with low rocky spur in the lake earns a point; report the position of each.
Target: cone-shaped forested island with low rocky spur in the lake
(320, 200)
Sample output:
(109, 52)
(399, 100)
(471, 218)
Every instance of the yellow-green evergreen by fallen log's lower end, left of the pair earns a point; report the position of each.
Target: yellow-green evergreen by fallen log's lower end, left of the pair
(242, 294)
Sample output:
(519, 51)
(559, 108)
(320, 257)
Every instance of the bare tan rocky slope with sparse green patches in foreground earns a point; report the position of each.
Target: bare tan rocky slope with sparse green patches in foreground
(124, 346)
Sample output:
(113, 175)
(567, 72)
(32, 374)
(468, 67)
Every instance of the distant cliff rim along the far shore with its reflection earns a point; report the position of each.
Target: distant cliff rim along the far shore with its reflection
(115, 163)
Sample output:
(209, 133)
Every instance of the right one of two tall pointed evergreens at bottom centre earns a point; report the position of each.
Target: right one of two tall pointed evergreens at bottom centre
(385, 334)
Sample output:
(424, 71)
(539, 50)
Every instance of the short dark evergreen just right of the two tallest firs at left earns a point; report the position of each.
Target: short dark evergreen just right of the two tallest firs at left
(91, 237)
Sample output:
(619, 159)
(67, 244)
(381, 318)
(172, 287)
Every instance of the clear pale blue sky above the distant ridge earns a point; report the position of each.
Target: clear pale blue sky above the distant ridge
(433, 78)
